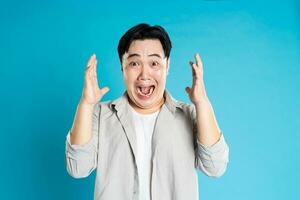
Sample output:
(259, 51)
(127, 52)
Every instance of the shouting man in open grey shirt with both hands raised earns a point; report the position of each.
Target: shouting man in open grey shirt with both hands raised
(145, 144)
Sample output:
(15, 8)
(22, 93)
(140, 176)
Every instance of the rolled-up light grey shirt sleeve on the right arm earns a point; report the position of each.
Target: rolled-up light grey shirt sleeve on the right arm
(211, 160)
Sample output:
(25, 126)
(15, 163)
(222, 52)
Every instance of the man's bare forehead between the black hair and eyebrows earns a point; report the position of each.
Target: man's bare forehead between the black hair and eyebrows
(146, 47)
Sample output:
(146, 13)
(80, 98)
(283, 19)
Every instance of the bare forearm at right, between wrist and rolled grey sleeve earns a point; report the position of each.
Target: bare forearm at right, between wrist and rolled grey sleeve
(207, 126)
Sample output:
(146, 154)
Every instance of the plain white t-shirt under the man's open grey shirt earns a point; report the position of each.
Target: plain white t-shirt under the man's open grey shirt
(144, 126)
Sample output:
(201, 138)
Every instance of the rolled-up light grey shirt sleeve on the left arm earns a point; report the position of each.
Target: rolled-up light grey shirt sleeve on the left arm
(81, 160)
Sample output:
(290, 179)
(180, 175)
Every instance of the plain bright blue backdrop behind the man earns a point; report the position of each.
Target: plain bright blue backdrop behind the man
(250, 52)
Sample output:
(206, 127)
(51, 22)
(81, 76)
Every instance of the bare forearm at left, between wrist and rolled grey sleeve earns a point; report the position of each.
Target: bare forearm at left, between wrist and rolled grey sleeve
(81, 131)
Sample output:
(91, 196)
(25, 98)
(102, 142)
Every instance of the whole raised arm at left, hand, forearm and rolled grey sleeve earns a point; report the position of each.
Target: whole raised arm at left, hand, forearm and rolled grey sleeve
(82, 139)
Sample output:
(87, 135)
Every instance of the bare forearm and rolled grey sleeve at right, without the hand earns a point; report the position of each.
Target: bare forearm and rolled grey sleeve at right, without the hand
(212, 157)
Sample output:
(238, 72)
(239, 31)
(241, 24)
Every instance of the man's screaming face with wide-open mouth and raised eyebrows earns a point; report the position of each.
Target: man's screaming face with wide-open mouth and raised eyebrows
(144, 72)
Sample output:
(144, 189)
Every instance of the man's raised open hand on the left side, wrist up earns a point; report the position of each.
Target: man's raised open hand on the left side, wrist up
(91, 92)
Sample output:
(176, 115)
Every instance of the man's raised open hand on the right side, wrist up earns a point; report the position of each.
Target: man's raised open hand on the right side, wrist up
(197, 93)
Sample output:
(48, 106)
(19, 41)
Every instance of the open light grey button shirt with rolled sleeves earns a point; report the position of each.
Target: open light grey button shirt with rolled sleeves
(176, 153)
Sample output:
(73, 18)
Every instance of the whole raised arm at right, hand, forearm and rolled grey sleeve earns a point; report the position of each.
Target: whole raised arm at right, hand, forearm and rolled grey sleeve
(212, 151)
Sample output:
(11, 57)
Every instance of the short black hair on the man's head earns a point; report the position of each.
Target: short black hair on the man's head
(141, 32)
